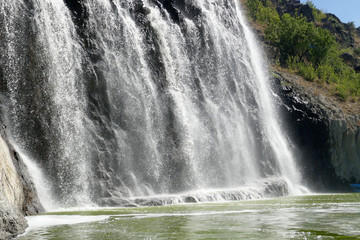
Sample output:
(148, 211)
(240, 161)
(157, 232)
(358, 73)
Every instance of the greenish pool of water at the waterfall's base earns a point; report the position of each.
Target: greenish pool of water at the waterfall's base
(334, 216)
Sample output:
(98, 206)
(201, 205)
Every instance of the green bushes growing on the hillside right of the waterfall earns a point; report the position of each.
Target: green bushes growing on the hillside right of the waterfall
(310, 51)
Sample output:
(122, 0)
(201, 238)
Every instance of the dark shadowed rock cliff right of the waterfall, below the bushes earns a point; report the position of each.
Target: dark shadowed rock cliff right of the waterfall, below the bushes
(326, 137)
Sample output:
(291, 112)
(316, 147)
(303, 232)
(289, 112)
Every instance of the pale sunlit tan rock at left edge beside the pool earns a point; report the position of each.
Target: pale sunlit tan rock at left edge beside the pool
(18, 196)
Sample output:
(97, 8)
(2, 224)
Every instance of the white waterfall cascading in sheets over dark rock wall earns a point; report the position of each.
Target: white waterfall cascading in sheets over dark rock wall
(129, 98)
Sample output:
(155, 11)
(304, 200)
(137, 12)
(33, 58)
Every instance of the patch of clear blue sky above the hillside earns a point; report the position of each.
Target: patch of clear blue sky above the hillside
(346, 10)
